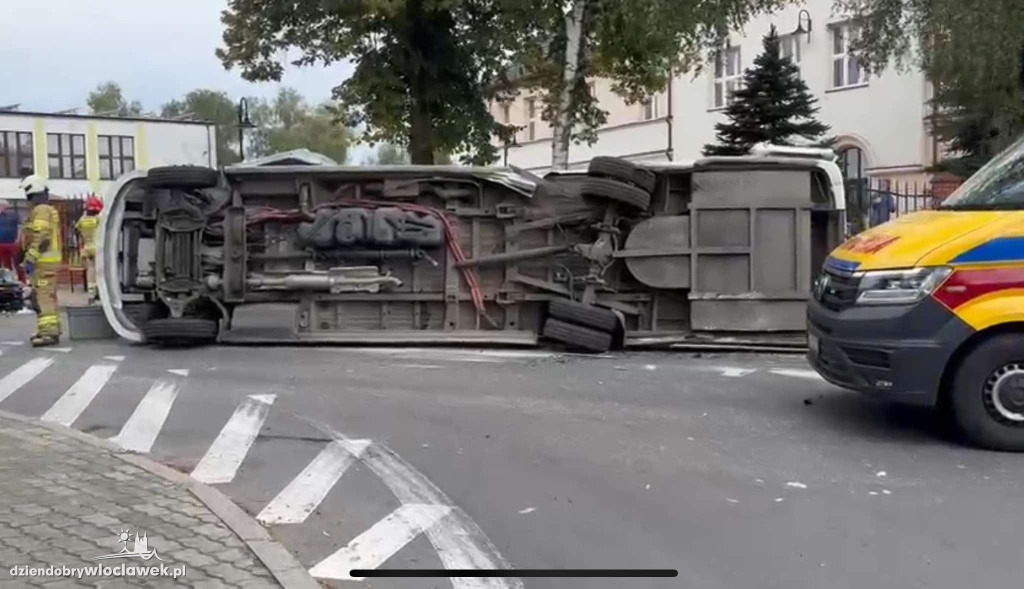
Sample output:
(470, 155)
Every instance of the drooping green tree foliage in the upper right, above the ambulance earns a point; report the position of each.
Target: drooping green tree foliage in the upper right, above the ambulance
(972, 52)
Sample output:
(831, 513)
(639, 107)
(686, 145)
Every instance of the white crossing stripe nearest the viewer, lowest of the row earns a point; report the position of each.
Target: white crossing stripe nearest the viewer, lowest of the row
(373, 548)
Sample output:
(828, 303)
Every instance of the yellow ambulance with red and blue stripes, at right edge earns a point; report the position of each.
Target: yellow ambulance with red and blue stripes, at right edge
(929, 309)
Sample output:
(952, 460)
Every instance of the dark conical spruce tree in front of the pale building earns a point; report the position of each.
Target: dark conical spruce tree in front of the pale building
(774, 106)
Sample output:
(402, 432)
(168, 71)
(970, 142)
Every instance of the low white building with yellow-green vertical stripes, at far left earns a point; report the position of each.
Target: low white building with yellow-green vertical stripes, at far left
(84, 154)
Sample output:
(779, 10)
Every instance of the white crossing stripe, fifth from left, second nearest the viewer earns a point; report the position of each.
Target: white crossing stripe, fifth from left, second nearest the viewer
(307, 491)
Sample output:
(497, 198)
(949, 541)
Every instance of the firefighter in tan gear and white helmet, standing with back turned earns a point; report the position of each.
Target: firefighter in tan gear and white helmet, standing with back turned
(41, 234)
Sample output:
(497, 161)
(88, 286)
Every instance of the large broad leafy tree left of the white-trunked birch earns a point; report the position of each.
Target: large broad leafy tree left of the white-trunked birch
(423, 69)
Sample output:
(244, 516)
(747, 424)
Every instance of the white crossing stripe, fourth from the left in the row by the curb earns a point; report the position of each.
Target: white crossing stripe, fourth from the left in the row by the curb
(229, 450)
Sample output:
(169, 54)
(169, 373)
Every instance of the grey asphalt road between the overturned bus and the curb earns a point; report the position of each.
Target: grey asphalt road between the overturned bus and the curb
(737, 471)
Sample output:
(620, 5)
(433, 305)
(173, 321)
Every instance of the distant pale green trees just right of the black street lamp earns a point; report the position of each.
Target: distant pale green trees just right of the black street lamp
(289, 123)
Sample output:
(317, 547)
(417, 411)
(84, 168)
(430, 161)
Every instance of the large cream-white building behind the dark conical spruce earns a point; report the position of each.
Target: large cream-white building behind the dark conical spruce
(881, 121)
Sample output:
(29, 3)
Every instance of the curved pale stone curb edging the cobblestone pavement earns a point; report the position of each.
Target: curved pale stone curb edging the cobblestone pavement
(283, 566)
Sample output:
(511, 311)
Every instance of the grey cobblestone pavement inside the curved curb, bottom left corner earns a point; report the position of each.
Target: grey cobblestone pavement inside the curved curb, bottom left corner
(64, 502)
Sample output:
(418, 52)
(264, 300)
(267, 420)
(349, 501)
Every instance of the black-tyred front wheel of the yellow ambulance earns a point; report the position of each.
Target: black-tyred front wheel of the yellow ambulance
(988, 399)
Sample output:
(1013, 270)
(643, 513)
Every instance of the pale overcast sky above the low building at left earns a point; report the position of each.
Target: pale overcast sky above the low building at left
(54, 53)
